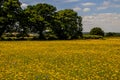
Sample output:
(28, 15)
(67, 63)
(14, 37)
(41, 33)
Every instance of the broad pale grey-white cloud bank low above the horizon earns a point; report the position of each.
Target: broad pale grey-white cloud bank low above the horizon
(109, 22)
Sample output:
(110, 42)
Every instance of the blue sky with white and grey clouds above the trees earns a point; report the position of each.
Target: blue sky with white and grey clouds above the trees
(95, 13)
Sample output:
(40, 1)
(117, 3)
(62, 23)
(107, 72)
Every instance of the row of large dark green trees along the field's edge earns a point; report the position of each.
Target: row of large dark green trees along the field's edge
(40, 19)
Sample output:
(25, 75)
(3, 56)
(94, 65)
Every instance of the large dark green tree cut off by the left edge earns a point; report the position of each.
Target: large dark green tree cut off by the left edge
(9, 10)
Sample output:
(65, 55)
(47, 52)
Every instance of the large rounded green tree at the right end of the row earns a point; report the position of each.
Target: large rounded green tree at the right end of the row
(67, 24)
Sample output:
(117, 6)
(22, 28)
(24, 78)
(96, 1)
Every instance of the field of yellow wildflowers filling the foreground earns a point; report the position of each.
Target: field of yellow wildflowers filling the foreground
(60, 60)
